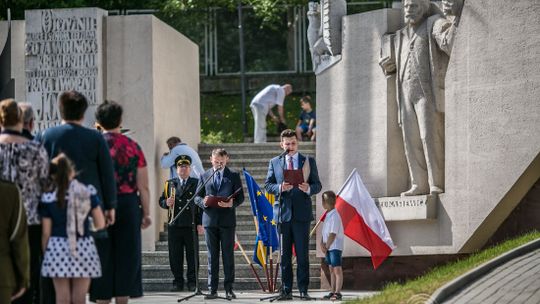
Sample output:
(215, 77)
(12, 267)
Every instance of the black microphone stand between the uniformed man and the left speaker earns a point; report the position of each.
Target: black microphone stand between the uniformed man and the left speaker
(191, 201)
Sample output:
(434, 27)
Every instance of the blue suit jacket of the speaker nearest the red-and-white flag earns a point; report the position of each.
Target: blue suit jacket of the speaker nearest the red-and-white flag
(295, 204)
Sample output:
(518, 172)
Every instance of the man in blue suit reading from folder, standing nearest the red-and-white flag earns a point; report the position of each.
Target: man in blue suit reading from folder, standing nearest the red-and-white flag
(293, 210)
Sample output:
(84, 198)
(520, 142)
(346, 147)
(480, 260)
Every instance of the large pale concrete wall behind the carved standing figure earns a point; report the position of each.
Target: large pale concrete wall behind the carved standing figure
(492, 124)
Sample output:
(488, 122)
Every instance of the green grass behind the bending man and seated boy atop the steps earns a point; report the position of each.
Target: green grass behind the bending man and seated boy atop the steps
(221, 117)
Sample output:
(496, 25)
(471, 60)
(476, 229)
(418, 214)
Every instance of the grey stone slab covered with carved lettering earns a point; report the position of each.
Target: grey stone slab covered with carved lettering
(64, 51)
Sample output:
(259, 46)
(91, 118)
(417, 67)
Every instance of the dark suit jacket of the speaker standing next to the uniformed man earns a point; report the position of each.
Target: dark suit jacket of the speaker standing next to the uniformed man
(220, 217)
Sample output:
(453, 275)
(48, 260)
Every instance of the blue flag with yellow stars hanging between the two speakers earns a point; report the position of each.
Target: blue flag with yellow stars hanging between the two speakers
(264, 214)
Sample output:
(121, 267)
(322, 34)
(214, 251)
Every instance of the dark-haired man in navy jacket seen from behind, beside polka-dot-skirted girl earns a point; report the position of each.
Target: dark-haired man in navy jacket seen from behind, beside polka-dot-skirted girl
(89, 152)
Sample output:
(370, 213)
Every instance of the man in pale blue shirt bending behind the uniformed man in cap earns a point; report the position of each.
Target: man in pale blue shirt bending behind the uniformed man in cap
(177, 148)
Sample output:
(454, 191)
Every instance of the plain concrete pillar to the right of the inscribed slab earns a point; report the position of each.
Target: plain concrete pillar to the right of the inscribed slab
(153, 71)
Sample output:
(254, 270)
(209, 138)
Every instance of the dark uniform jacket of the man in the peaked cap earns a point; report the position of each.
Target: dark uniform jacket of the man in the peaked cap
(182, 196)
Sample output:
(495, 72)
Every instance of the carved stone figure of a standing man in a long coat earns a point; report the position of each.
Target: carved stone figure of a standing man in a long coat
(418, 54)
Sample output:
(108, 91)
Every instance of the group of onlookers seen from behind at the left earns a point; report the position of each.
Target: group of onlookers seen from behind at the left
(86, 198)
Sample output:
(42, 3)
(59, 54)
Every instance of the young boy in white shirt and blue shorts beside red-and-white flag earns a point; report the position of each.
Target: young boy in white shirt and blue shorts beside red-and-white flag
(332, 244)
